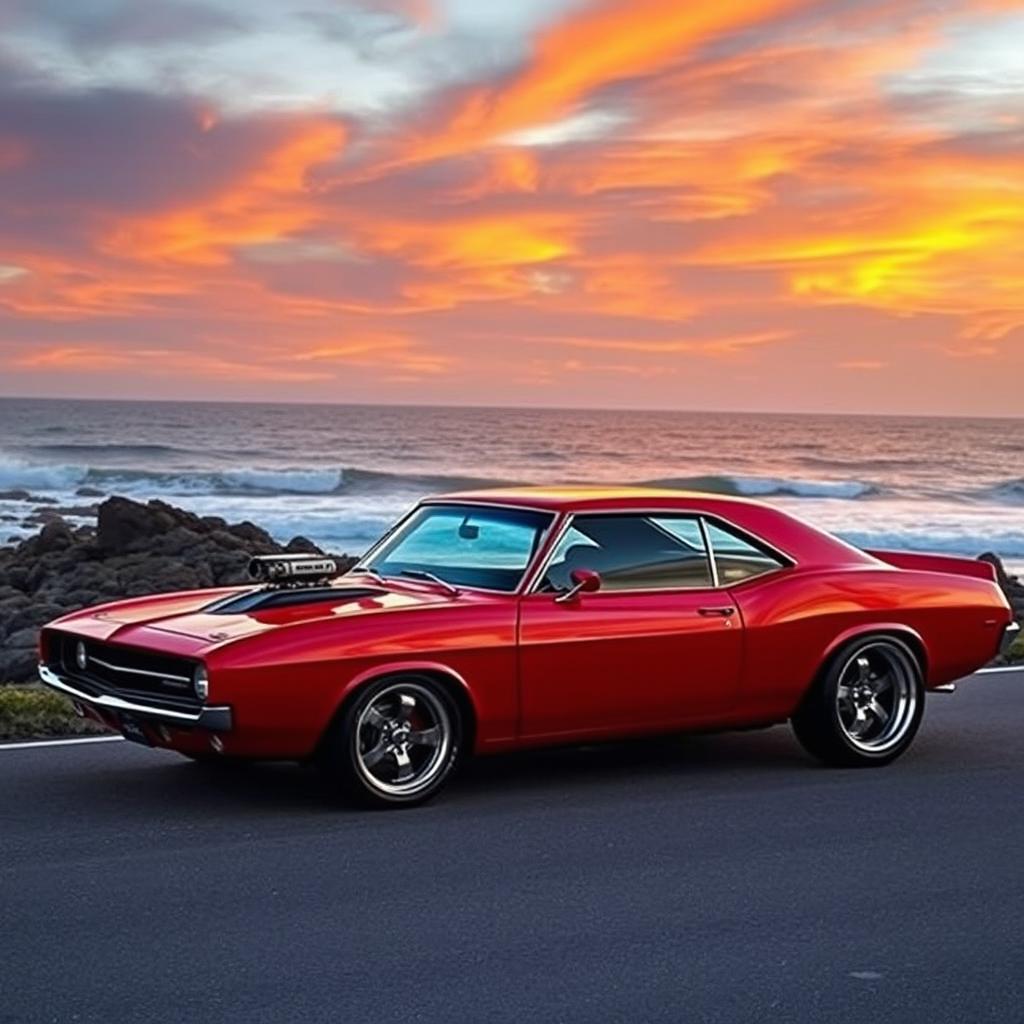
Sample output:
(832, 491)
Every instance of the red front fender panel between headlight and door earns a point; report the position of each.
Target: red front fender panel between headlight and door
(286, 686)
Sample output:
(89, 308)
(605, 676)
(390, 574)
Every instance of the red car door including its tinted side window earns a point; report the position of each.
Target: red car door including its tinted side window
(658, 647)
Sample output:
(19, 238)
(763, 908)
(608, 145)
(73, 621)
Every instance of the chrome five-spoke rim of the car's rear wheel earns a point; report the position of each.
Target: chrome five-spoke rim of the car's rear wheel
(877, 698)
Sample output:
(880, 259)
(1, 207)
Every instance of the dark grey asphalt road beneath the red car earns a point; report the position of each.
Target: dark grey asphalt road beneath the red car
(707, 879)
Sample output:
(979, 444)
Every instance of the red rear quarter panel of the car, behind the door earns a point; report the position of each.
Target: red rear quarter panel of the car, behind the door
(795, 621)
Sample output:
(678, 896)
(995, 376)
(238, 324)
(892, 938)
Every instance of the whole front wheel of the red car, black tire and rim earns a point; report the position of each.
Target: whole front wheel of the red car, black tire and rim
(396, 745)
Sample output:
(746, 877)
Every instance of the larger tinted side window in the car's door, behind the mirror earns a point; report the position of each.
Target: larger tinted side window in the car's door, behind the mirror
(632, 552)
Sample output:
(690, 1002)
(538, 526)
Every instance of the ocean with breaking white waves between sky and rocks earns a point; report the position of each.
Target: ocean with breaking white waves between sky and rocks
(340, 475)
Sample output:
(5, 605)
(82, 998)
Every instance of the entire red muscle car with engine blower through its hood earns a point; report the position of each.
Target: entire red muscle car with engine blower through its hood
(504, 620)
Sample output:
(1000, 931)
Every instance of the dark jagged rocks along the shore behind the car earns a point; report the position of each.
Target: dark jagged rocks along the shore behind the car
(151, 548)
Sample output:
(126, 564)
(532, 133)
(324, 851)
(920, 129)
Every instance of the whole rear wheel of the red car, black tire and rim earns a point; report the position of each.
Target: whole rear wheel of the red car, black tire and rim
(866, 708)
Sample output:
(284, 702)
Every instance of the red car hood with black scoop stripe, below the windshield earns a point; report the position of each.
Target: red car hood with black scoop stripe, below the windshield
(212, 618)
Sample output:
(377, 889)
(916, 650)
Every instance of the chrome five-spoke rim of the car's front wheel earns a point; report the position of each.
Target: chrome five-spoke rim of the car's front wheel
(403, 740)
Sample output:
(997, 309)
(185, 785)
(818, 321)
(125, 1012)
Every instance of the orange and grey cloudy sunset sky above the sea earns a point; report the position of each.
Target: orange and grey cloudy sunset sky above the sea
(739, 205)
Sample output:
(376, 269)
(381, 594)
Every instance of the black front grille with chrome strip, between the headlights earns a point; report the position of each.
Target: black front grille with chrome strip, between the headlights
(144, 676)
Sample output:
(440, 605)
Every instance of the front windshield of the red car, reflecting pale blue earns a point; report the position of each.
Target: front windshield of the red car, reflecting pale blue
(463, 545)
